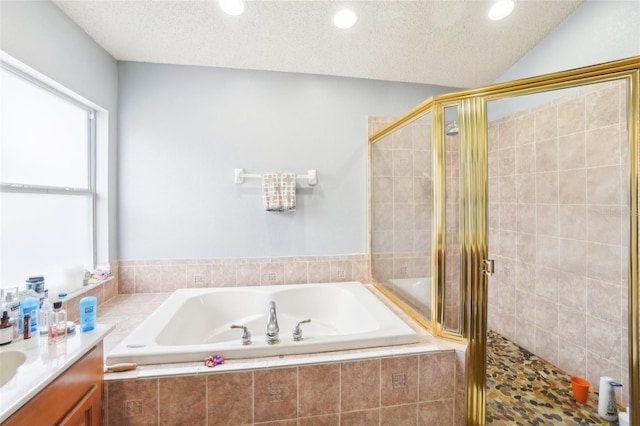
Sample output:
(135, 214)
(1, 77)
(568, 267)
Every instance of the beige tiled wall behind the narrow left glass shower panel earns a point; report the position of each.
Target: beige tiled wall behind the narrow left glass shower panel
(401, 203)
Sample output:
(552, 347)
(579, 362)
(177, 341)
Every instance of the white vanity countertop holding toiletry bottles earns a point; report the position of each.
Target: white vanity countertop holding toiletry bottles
(44, 364)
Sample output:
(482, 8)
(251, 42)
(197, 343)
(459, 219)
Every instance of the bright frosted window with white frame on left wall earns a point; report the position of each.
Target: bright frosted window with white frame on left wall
(47, 182)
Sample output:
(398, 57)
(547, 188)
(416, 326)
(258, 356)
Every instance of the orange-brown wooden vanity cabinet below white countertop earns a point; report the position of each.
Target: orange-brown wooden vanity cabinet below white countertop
(73, 399)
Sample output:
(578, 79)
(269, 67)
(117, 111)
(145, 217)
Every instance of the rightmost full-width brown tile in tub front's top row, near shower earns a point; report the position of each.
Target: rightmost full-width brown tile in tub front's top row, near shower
(437, 376)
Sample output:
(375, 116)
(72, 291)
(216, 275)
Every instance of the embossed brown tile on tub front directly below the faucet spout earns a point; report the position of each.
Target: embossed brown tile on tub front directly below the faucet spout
(275, 394)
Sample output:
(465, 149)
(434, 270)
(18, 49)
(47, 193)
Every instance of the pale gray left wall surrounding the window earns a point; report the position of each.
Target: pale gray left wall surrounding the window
(40, 36)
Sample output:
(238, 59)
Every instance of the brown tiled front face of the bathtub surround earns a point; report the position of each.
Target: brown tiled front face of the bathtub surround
(421, 389)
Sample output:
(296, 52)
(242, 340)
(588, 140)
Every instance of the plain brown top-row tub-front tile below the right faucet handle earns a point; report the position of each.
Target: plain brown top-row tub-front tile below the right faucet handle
(319, 389)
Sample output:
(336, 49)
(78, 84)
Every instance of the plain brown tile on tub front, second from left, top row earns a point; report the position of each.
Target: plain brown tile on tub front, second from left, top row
(182, 400)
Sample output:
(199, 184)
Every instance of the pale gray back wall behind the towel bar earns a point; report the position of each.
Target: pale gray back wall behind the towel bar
(184, 129)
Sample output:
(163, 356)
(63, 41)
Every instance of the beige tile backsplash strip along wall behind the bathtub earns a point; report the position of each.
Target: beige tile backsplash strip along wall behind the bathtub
(161, 276)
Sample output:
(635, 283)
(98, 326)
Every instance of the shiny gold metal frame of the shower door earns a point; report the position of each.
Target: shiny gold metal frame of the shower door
(473, 213)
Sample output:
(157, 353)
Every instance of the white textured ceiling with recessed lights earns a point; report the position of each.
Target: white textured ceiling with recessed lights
(449, 42)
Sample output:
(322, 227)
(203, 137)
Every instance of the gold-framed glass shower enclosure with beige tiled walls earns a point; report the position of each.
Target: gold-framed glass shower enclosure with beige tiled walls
(513, 209)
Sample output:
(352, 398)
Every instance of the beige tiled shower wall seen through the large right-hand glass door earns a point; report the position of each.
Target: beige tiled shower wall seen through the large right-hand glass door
(558, 230)
